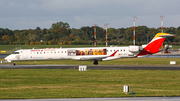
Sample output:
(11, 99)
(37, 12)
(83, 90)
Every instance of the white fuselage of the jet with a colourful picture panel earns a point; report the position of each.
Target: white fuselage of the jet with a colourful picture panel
(90, 53)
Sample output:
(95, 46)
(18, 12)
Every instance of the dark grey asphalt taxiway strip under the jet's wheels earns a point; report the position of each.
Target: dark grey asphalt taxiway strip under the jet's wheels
(107, 67)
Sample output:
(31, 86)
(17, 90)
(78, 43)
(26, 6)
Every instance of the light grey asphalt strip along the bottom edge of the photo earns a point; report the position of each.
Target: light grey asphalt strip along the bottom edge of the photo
(104, 99)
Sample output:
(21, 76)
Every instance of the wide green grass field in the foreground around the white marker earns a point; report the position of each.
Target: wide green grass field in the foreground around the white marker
(61, 83)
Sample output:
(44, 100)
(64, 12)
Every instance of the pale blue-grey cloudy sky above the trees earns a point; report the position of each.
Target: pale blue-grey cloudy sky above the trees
(29, 14)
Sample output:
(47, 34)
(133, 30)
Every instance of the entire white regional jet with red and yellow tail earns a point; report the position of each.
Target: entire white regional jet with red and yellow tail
(89, 54)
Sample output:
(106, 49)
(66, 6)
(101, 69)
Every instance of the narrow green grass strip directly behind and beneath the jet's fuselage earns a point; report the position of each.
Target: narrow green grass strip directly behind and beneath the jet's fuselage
(122, 61)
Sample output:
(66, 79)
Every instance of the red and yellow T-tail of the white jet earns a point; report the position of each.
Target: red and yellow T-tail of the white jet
(154, 45)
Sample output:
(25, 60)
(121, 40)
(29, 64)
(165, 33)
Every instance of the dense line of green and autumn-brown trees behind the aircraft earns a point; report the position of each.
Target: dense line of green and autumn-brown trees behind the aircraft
(60, 33)
